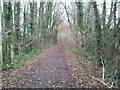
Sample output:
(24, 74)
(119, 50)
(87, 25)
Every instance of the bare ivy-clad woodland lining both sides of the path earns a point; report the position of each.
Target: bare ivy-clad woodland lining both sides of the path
(30, 26)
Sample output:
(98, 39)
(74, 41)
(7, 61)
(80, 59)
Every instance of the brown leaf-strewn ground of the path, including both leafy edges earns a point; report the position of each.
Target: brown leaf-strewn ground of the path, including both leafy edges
(56, 68)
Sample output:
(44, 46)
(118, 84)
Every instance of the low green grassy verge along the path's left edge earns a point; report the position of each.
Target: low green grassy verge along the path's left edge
(21, 59)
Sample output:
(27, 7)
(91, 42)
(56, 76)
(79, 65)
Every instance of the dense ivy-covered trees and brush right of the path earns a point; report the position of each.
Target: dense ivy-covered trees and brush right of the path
(100, 34)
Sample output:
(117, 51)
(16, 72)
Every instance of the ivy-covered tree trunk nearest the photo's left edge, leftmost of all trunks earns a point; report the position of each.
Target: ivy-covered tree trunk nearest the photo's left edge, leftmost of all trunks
(6, 26)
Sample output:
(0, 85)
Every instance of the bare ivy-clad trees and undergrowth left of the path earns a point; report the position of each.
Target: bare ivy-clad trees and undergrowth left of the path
(27, 28)
